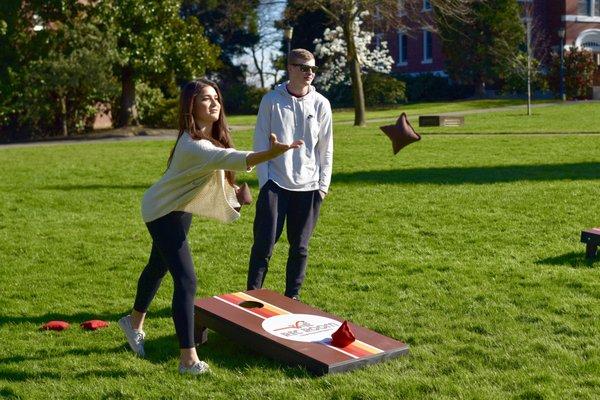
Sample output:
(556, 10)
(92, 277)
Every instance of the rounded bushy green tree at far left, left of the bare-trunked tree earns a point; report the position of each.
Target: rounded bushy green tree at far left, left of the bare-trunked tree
(63, 88)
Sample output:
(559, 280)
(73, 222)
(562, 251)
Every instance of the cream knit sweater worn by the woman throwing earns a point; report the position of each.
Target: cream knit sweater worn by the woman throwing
(195, 182)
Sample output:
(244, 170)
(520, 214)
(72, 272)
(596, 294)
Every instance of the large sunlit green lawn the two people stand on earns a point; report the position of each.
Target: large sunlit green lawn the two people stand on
(464, 246)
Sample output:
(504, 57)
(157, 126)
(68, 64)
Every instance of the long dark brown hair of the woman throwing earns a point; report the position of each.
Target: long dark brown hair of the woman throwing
(219, 135)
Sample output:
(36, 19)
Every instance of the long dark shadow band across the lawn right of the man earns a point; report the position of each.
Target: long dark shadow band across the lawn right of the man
(476, 175)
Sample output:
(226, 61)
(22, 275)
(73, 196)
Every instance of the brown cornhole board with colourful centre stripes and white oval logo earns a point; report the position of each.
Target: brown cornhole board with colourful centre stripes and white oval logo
(290, 331)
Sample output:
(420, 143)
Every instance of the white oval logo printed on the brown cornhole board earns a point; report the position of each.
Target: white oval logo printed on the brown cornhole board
(301, 327)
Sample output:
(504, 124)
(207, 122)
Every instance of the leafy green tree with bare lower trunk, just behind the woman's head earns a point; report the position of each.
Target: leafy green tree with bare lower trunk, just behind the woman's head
(155, 44)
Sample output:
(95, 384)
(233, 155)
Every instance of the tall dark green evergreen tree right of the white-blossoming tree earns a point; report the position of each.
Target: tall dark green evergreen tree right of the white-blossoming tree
(480, 50)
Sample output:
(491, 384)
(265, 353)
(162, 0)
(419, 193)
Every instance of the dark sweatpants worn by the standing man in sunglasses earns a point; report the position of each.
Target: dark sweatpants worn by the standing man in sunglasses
(273, 207)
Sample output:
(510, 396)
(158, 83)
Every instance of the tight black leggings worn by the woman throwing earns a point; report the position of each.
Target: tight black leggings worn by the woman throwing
(171, 252)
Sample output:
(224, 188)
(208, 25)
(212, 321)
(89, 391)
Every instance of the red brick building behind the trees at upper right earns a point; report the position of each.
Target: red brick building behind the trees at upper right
(416, 48)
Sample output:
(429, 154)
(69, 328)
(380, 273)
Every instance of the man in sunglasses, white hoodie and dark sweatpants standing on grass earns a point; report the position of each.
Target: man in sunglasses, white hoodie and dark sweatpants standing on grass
(293, 186)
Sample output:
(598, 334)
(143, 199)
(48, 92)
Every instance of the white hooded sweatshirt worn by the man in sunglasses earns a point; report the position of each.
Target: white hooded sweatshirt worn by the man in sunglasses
(292, 118)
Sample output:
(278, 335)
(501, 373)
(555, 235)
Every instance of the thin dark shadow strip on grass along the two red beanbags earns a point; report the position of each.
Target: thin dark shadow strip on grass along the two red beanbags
(73, 319)
